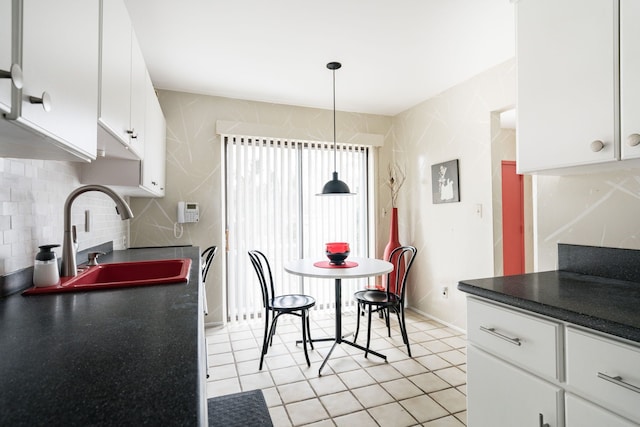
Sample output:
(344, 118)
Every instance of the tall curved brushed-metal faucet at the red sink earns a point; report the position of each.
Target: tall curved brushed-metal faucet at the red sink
(68, 247)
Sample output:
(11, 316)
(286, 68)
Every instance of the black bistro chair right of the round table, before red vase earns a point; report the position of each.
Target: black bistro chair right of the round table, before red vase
(388, 301)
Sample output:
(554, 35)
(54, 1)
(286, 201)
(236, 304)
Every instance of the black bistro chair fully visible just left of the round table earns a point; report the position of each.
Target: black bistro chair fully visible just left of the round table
(275, 306)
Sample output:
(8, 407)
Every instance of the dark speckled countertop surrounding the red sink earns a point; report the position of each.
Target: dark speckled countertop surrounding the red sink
(111, 357)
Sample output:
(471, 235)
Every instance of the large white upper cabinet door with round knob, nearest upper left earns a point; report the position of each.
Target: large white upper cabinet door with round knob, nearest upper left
(60, 59)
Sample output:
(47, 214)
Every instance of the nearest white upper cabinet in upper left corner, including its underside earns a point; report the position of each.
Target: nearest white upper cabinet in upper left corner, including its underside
(56, 109)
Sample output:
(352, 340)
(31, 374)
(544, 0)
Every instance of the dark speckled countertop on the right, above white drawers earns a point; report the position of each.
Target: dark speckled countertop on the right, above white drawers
(607, 305)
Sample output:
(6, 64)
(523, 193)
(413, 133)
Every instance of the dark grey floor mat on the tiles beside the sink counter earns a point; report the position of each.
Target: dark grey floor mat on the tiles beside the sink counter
(239, 410)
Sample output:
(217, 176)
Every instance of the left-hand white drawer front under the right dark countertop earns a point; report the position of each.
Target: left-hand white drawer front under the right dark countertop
(530, 342)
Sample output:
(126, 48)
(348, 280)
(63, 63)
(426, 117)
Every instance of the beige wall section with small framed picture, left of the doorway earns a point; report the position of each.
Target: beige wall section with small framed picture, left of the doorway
(453, 242)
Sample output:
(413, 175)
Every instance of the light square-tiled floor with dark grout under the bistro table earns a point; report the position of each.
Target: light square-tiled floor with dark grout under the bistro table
(428, 389)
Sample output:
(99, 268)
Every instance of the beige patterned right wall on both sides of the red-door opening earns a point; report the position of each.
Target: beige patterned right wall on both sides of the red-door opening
(453, 243)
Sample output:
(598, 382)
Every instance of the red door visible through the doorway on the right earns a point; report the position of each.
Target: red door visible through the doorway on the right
(512, 219)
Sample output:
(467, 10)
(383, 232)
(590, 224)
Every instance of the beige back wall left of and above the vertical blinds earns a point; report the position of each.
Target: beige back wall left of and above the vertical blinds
(194, 167)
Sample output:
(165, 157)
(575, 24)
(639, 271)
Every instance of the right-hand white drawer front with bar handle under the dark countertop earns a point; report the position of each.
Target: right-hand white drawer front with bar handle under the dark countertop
(604, 371)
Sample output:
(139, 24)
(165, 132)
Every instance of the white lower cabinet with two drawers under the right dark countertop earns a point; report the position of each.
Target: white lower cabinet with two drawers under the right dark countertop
(530, 370)
